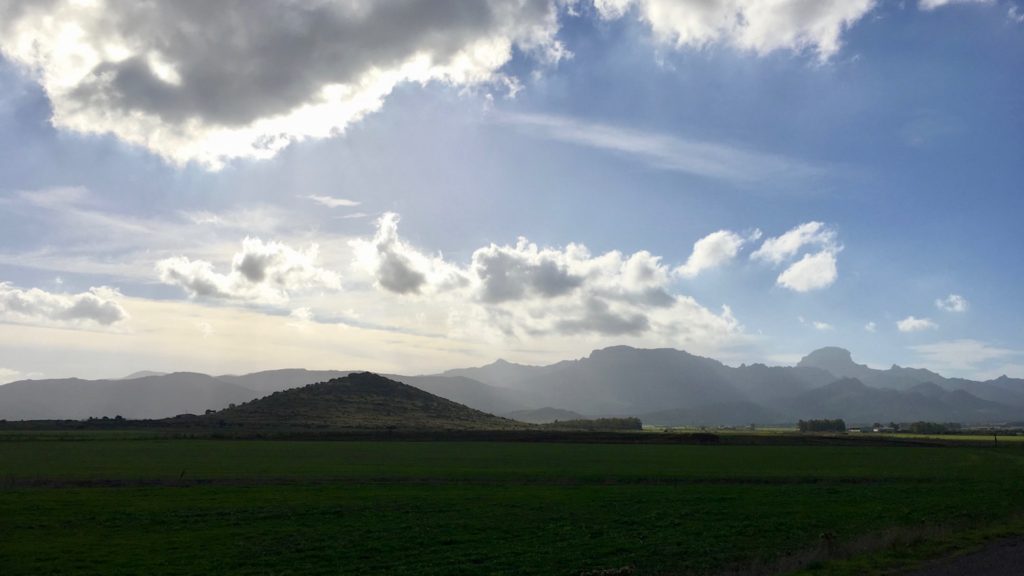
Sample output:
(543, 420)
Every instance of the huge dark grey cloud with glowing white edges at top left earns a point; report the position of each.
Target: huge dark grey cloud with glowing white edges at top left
(194, 81)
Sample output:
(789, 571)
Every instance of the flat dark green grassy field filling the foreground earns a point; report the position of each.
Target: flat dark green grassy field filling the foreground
(263, 508)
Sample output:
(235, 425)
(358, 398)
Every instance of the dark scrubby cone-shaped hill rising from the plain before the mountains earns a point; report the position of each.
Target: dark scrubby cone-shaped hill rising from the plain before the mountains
(362, 400)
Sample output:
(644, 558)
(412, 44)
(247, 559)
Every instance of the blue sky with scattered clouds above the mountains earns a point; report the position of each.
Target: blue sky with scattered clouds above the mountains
(414, 186)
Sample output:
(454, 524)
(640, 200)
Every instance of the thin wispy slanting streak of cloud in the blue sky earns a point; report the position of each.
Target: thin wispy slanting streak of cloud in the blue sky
(663, 152)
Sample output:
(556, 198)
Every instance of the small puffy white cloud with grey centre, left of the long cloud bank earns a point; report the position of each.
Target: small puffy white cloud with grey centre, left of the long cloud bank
(262, 273)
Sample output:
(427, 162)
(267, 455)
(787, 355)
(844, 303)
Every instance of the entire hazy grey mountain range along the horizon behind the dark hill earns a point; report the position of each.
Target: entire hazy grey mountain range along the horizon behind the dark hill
(662, 387)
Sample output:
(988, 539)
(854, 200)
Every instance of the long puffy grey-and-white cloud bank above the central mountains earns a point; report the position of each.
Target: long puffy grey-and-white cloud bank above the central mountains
(524, 291)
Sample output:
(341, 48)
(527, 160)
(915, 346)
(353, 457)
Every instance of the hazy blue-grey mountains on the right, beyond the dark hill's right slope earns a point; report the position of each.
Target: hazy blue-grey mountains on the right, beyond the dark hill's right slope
(672, 387)
